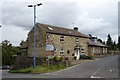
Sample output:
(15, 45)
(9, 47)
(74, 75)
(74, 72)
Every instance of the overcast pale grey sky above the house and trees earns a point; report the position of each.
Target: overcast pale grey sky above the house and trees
(98, 17)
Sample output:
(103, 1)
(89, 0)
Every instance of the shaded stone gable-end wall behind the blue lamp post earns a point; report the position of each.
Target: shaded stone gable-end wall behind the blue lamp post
(41, 44)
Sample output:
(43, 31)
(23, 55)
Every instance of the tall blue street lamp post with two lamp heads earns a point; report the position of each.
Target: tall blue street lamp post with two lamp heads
(35, 31)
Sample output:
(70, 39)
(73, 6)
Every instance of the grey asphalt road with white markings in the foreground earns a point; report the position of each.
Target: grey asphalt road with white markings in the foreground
(102, 68)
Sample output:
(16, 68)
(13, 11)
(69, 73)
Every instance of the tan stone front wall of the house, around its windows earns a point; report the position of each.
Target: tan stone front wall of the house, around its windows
(68, 44)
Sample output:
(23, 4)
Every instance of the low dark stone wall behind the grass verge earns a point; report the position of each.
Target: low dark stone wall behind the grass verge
(25, 62)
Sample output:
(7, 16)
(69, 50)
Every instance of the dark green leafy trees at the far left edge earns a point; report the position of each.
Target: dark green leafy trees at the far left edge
(7, 52)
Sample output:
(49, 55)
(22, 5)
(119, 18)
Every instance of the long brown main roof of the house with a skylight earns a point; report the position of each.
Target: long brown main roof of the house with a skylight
(61, 30)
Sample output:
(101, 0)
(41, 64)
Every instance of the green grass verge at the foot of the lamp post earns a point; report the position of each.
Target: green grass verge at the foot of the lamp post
(40, 69)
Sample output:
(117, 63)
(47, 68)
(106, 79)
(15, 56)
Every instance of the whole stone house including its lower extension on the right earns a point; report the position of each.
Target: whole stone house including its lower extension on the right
(59, 41)
